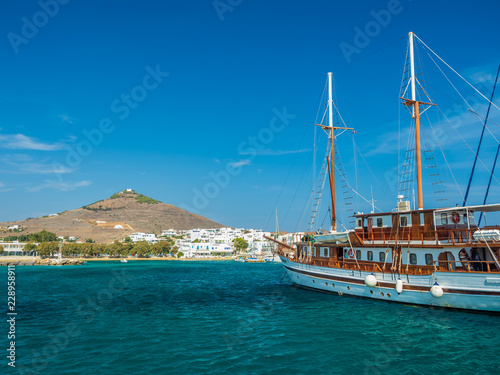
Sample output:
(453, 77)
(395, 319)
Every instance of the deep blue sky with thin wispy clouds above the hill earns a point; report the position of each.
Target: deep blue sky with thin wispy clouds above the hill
(210, 106)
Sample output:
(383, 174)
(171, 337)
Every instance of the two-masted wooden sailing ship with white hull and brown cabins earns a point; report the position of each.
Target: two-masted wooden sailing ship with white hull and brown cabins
(435, 257)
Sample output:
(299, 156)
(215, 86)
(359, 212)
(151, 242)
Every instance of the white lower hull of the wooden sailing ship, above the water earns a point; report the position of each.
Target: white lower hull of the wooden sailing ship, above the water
(470, 291)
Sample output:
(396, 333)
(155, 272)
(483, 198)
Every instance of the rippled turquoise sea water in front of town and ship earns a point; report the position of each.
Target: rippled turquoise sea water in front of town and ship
(228, 318)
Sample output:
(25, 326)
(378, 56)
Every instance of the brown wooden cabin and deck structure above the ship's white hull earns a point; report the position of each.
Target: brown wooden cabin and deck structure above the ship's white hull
(409, 242)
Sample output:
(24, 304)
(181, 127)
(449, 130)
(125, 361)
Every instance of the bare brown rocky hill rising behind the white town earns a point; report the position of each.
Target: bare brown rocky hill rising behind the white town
(114, 218)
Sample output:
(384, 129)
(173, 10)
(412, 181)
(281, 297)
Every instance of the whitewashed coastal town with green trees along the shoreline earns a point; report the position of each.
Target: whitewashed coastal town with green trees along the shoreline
(188, 244)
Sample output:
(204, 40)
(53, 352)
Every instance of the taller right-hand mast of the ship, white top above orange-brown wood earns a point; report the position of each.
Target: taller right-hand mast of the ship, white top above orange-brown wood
(416, 115)
